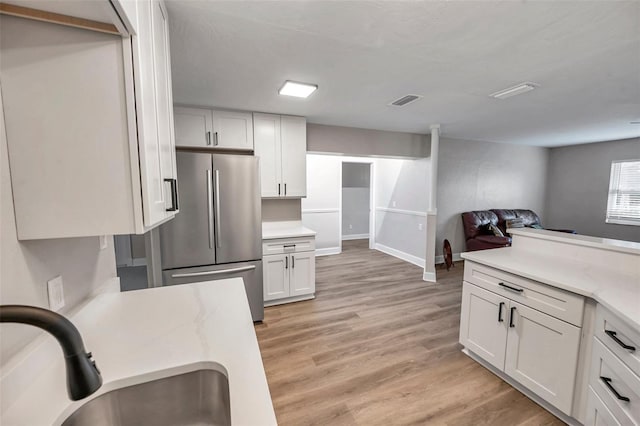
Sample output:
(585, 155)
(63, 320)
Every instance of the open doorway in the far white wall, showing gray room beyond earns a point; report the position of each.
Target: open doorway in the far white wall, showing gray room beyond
(356, 217)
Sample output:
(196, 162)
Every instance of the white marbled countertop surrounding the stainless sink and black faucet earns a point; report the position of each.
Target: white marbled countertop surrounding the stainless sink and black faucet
(148, 334)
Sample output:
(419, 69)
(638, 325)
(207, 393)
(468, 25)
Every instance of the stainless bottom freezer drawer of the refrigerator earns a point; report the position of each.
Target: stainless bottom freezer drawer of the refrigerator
(250, 272)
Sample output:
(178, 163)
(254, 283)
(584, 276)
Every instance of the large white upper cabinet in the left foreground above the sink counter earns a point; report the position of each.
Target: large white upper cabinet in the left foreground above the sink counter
(89, 127)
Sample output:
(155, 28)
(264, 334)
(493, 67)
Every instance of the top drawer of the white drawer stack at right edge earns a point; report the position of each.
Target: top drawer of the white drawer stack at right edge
(615, 334)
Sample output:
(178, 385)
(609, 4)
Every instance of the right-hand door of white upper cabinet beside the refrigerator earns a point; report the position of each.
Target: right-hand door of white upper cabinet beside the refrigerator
(294, 156)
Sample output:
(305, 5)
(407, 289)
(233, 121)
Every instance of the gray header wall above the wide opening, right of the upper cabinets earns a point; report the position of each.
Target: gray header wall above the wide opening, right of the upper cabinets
(352, 141)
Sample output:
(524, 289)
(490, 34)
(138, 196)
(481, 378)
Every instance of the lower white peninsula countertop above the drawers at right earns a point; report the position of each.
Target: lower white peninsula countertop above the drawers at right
(617, 290)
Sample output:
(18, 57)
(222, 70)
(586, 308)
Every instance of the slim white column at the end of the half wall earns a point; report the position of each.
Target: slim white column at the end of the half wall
(430, 256)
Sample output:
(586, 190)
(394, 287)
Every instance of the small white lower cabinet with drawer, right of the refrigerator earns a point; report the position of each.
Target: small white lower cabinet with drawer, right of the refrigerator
(290, 275)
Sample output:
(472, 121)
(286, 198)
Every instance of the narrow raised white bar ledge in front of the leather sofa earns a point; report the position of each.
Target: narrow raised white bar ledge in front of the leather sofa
(579, 240)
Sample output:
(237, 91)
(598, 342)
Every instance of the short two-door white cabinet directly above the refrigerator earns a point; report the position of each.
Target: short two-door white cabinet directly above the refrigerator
(206, 128)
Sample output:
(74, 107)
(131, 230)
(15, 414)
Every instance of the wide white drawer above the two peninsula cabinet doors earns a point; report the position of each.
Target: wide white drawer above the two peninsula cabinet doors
(555, 302)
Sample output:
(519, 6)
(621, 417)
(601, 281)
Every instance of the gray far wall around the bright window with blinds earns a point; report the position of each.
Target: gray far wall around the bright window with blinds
(578, 186)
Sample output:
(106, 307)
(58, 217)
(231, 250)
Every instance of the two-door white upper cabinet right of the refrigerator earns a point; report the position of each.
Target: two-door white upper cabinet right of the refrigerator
(281, 144)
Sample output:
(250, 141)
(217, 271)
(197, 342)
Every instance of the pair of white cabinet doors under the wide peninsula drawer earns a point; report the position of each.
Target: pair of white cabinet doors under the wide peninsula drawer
(531, 347)
